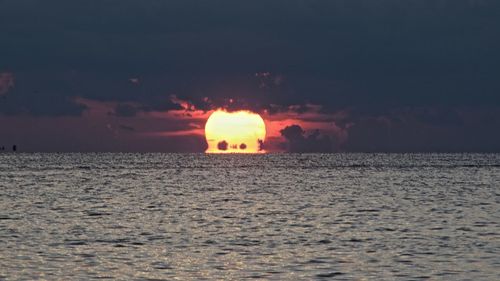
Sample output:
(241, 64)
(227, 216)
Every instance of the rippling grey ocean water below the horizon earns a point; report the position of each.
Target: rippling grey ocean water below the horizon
(235, 217)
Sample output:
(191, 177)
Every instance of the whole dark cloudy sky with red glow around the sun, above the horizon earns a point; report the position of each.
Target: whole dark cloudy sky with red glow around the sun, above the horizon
(326, 76)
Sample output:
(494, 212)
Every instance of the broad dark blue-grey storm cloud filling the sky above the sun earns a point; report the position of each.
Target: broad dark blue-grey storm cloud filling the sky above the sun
(337, 53)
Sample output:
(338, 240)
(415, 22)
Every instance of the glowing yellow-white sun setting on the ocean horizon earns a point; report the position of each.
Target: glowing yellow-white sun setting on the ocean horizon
(235, 132)
